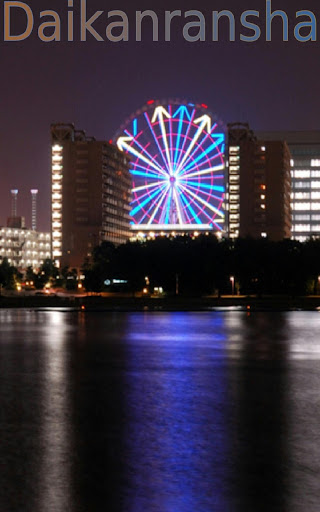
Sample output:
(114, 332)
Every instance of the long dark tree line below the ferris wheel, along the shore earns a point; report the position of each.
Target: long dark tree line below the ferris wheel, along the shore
(204, 265)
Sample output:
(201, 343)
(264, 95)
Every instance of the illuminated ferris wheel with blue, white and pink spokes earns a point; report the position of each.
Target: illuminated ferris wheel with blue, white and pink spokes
(177, 165)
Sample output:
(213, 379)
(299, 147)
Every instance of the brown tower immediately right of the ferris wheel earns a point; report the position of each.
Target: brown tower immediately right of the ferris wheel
(258, 186)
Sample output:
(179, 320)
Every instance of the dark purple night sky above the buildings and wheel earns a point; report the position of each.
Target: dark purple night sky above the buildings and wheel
(97, 85)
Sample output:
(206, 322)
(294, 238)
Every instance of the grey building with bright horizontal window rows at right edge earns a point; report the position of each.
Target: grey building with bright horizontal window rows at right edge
(305, 172)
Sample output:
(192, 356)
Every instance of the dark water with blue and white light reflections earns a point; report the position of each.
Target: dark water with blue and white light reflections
(177, 412)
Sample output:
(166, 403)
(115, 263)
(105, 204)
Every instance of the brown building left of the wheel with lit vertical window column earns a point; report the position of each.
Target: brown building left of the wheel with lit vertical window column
(91, 194)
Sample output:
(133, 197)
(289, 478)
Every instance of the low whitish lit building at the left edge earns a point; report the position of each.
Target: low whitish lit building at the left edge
(24, 247)
